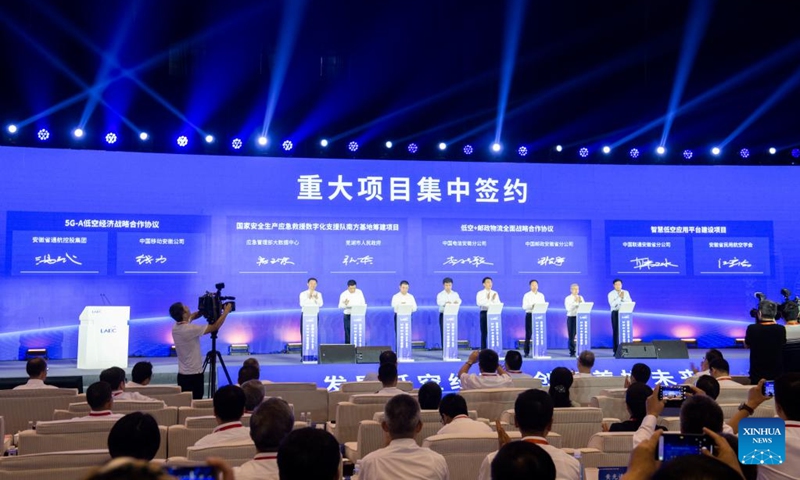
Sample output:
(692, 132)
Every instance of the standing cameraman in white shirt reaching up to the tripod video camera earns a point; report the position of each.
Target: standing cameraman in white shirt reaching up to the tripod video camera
(187, 345)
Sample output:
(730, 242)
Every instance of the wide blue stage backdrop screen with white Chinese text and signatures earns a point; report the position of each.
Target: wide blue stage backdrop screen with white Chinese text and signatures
(691, 243)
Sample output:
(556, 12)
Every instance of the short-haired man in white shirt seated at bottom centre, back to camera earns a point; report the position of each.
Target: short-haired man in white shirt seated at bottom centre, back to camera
(402, 458)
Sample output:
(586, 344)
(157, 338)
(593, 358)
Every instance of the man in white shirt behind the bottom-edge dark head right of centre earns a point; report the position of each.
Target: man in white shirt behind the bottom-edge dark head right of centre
(533, 416)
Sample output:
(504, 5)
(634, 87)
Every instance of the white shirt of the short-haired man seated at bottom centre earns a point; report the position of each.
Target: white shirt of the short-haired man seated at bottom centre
(403, 458)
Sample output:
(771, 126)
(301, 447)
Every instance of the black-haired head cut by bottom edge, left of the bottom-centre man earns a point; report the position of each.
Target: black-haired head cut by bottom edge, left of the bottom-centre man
(309, 453)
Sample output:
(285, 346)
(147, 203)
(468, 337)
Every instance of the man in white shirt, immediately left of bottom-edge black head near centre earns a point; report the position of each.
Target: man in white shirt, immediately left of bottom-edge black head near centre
(269, 425)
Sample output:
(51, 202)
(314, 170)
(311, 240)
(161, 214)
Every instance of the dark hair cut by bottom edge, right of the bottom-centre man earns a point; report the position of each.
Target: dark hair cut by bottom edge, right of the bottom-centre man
(522, 461)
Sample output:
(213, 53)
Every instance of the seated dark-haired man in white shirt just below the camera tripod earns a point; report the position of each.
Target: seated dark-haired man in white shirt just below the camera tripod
(228, 408)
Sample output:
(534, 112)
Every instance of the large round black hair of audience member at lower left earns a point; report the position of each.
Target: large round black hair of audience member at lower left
(134, 435)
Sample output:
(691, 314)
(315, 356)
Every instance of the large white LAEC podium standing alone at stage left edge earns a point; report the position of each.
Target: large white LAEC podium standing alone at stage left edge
(103, 337)
